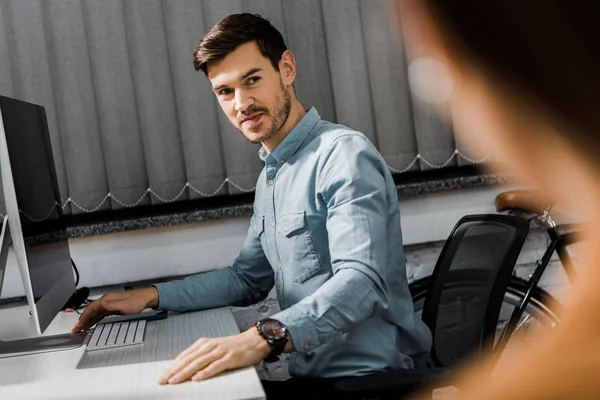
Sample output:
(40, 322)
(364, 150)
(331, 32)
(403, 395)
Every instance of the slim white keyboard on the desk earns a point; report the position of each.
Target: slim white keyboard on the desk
(117, 334)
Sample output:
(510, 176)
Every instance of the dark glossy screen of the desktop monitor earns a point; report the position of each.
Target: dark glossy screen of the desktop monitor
(37, 194)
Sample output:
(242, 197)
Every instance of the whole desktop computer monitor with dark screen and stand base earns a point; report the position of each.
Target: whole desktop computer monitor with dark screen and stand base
(35, 218)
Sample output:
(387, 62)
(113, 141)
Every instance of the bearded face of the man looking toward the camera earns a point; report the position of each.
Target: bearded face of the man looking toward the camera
(251, 92)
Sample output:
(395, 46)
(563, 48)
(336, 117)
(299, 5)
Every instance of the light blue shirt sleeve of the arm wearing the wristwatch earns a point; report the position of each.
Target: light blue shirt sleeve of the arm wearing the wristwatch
(352, 187)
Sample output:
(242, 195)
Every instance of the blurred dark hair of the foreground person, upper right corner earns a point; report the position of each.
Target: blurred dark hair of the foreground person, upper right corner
(548, 50)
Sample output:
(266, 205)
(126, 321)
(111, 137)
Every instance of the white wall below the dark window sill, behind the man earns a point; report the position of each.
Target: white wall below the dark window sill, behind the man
(191, 248)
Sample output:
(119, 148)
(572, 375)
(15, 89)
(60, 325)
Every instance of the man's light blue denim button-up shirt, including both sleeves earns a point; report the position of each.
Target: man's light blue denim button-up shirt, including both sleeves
(326, 233)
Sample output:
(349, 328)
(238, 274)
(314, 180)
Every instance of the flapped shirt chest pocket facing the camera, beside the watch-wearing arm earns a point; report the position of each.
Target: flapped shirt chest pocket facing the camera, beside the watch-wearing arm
(295, 247)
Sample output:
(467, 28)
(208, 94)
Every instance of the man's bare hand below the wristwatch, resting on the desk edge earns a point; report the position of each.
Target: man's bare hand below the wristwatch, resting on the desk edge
(209, 357)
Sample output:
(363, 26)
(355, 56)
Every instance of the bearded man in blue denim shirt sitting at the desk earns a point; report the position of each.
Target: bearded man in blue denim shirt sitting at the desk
(325, 232)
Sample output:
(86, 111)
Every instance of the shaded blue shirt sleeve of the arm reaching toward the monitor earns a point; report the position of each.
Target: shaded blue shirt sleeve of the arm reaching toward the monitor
(246, 282)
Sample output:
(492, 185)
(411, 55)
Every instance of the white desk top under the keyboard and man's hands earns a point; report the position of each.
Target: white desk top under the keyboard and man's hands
(126, 373)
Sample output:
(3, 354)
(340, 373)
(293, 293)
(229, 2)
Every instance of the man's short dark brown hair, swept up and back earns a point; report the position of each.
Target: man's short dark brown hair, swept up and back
(234, 31)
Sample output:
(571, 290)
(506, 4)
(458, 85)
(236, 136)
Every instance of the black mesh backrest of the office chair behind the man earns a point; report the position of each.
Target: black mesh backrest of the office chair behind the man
(468, 286)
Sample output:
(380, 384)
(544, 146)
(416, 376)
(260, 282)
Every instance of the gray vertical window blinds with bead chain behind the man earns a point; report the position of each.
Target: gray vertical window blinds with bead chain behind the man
(132, 123)
